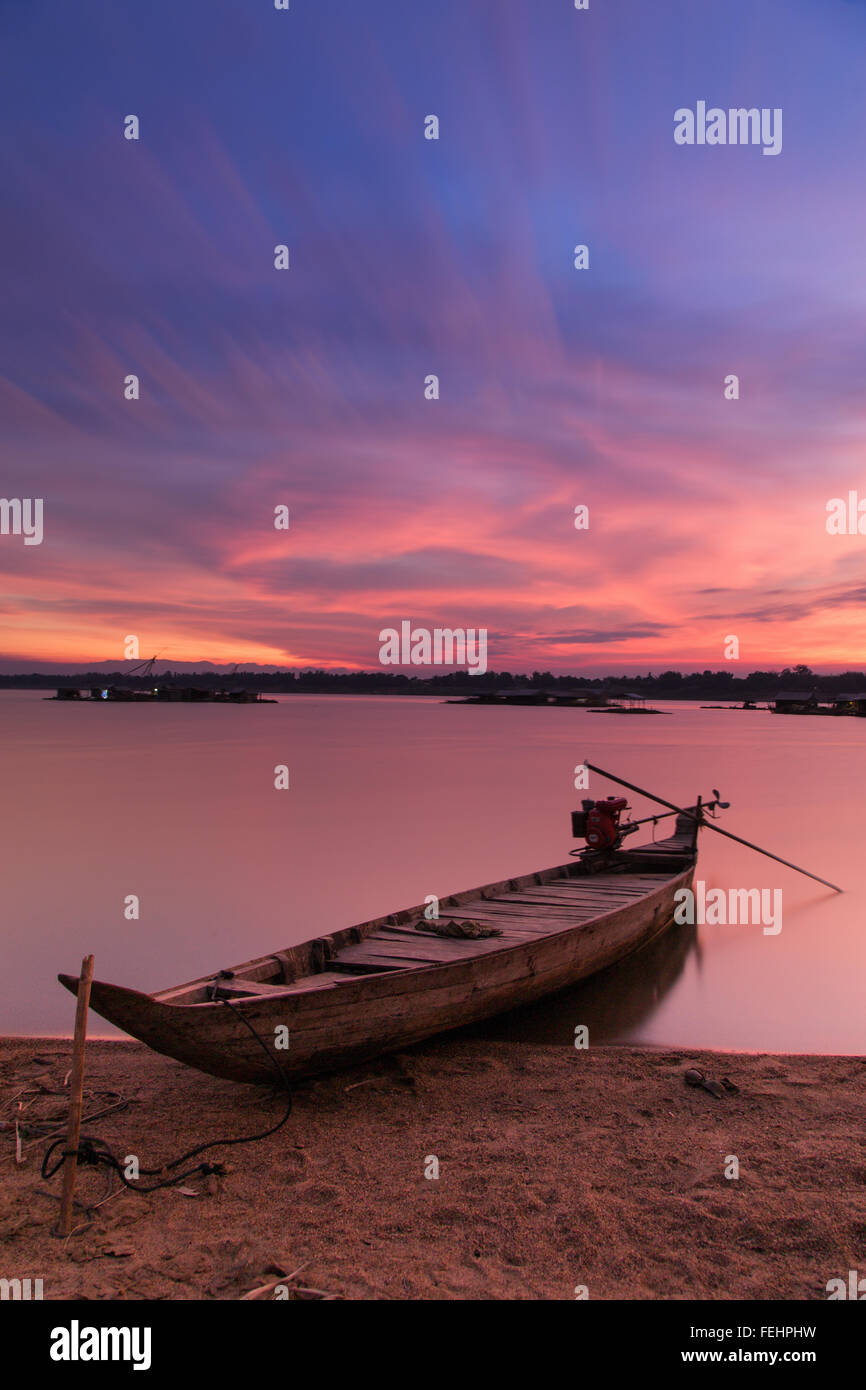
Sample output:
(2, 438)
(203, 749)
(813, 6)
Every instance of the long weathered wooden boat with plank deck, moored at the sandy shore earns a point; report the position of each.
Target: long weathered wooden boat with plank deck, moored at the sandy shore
(389, 983)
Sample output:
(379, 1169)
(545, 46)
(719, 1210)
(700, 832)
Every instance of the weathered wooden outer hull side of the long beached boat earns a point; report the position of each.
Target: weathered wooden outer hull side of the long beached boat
(341, 1025)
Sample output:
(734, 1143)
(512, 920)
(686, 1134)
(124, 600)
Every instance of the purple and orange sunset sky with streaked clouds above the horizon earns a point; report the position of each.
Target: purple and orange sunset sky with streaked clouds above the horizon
(408, 258)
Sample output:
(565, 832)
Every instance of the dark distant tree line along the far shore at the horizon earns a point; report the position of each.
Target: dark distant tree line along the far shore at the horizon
(667, 686)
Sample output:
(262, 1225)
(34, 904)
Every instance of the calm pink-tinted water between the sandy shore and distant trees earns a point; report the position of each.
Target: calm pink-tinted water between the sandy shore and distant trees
(393, 800)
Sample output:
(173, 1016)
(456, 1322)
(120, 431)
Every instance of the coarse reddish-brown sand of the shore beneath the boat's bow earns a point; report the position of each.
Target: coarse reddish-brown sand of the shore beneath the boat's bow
(557, 1170)
